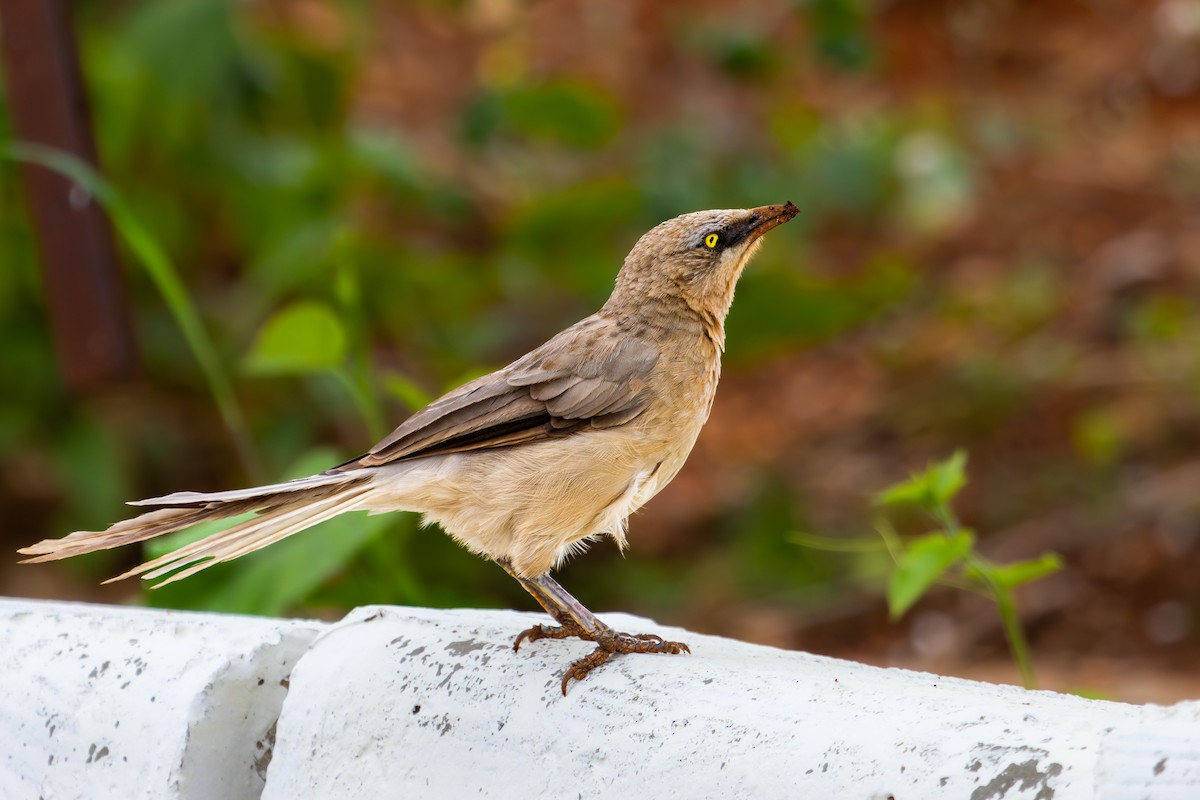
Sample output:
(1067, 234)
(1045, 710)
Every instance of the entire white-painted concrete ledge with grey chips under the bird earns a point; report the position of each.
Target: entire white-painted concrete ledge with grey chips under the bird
(419, 703)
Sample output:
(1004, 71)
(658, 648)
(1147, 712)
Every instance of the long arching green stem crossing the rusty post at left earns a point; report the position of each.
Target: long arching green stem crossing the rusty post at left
(165, 278)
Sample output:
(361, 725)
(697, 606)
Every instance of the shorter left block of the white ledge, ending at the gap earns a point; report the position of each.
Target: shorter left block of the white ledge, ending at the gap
(113, 702)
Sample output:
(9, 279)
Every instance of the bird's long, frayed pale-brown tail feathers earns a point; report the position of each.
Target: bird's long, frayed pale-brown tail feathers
(281, 510)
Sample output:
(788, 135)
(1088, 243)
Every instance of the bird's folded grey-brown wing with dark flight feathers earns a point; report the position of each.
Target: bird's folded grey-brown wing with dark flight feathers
(589, 376)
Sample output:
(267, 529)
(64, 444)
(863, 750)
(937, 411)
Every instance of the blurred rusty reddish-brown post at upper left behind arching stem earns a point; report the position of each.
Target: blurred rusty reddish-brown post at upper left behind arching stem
(86, 296)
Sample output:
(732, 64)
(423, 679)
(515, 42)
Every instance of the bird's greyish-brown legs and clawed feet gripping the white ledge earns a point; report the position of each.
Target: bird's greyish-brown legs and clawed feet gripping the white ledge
(575, 621)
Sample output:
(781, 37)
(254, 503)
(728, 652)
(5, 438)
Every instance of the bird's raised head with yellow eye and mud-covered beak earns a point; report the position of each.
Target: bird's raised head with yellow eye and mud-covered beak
(698, 258)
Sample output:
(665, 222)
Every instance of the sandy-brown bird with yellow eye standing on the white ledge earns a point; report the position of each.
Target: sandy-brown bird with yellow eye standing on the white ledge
(527, 465)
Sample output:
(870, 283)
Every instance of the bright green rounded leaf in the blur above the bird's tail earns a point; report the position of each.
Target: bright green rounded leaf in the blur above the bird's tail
(305, 338)
